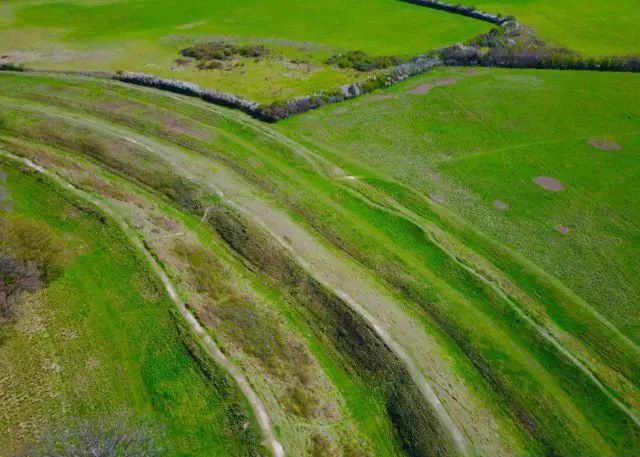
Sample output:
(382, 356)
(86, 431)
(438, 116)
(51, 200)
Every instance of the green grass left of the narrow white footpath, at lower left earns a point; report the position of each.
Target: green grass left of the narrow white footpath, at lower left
(103, 337)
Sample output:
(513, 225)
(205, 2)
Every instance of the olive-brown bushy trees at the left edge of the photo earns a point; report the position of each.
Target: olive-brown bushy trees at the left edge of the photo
(31, 255)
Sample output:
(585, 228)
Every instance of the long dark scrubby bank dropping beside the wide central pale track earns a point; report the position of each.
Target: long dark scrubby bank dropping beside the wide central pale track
(337, 324)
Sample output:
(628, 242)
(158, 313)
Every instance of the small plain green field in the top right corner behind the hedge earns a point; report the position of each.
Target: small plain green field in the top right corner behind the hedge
(592, 27)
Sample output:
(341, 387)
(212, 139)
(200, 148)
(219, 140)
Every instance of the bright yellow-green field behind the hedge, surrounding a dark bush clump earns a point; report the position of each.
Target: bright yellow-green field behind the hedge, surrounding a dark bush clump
(146, 36)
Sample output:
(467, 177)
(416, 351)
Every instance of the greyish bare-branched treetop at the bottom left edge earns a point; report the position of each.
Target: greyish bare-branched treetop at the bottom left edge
(112, 435)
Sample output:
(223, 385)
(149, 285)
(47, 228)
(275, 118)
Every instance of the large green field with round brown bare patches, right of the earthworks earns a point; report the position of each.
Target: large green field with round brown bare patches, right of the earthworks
(476, 139)
